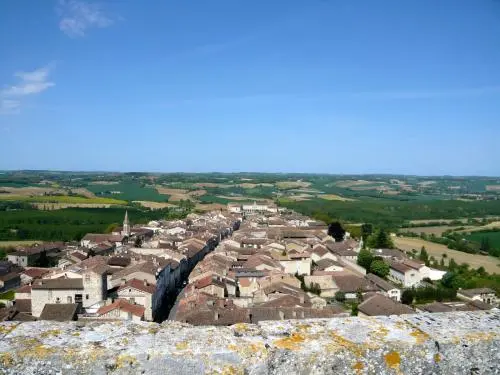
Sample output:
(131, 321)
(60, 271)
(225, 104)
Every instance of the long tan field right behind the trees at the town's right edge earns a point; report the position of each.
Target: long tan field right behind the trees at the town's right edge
(490, 264)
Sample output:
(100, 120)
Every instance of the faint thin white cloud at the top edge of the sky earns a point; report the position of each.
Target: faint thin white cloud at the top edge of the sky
(79, 16)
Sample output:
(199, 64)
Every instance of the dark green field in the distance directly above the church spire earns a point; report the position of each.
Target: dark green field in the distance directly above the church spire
(129, 191)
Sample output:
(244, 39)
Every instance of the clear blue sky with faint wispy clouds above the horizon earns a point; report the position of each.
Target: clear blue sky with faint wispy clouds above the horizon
(326, 86)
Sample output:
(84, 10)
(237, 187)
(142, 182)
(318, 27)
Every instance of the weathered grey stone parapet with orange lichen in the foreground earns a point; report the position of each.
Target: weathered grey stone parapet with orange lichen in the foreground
(449, 343)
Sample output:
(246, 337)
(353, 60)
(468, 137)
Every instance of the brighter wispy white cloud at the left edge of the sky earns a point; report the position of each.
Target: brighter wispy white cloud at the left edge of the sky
(29, 83)
